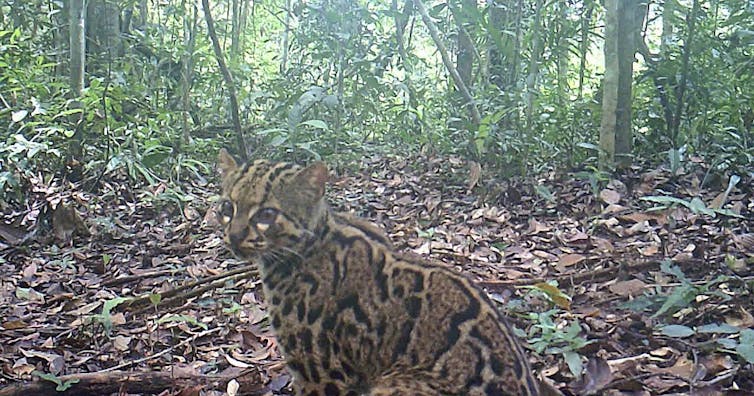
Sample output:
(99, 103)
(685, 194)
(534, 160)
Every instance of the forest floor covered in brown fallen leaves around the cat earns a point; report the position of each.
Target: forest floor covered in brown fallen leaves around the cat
(134, 293)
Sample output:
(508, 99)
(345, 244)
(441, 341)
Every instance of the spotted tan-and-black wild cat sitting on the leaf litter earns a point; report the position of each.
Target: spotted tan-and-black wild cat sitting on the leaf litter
(352, 316)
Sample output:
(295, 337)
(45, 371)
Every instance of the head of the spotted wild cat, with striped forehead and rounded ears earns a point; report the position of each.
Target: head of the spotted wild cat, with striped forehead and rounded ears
(270, 208)
